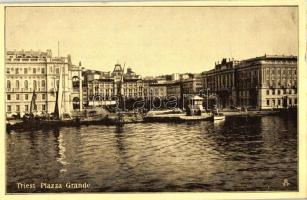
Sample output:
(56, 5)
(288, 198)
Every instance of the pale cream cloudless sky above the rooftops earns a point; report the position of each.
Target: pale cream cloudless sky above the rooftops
(154, 40)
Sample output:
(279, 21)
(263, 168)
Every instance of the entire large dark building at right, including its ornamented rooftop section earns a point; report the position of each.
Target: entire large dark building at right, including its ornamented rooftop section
(263, 82)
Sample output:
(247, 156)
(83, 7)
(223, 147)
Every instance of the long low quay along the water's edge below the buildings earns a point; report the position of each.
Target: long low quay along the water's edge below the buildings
(126, 118)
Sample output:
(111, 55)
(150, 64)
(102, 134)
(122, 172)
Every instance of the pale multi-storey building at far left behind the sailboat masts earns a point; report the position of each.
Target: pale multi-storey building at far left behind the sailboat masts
(36, 72)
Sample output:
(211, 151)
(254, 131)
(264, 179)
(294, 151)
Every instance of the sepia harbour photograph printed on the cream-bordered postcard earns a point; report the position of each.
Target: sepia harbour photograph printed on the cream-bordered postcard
(138, 98)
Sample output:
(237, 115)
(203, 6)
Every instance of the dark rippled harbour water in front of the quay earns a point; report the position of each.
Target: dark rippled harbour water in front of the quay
(254, 154)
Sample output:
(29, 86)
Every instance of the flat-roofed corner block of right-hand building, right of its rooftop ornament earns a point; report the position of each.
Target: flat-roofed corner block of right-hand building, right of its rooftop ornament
(267, 82)
